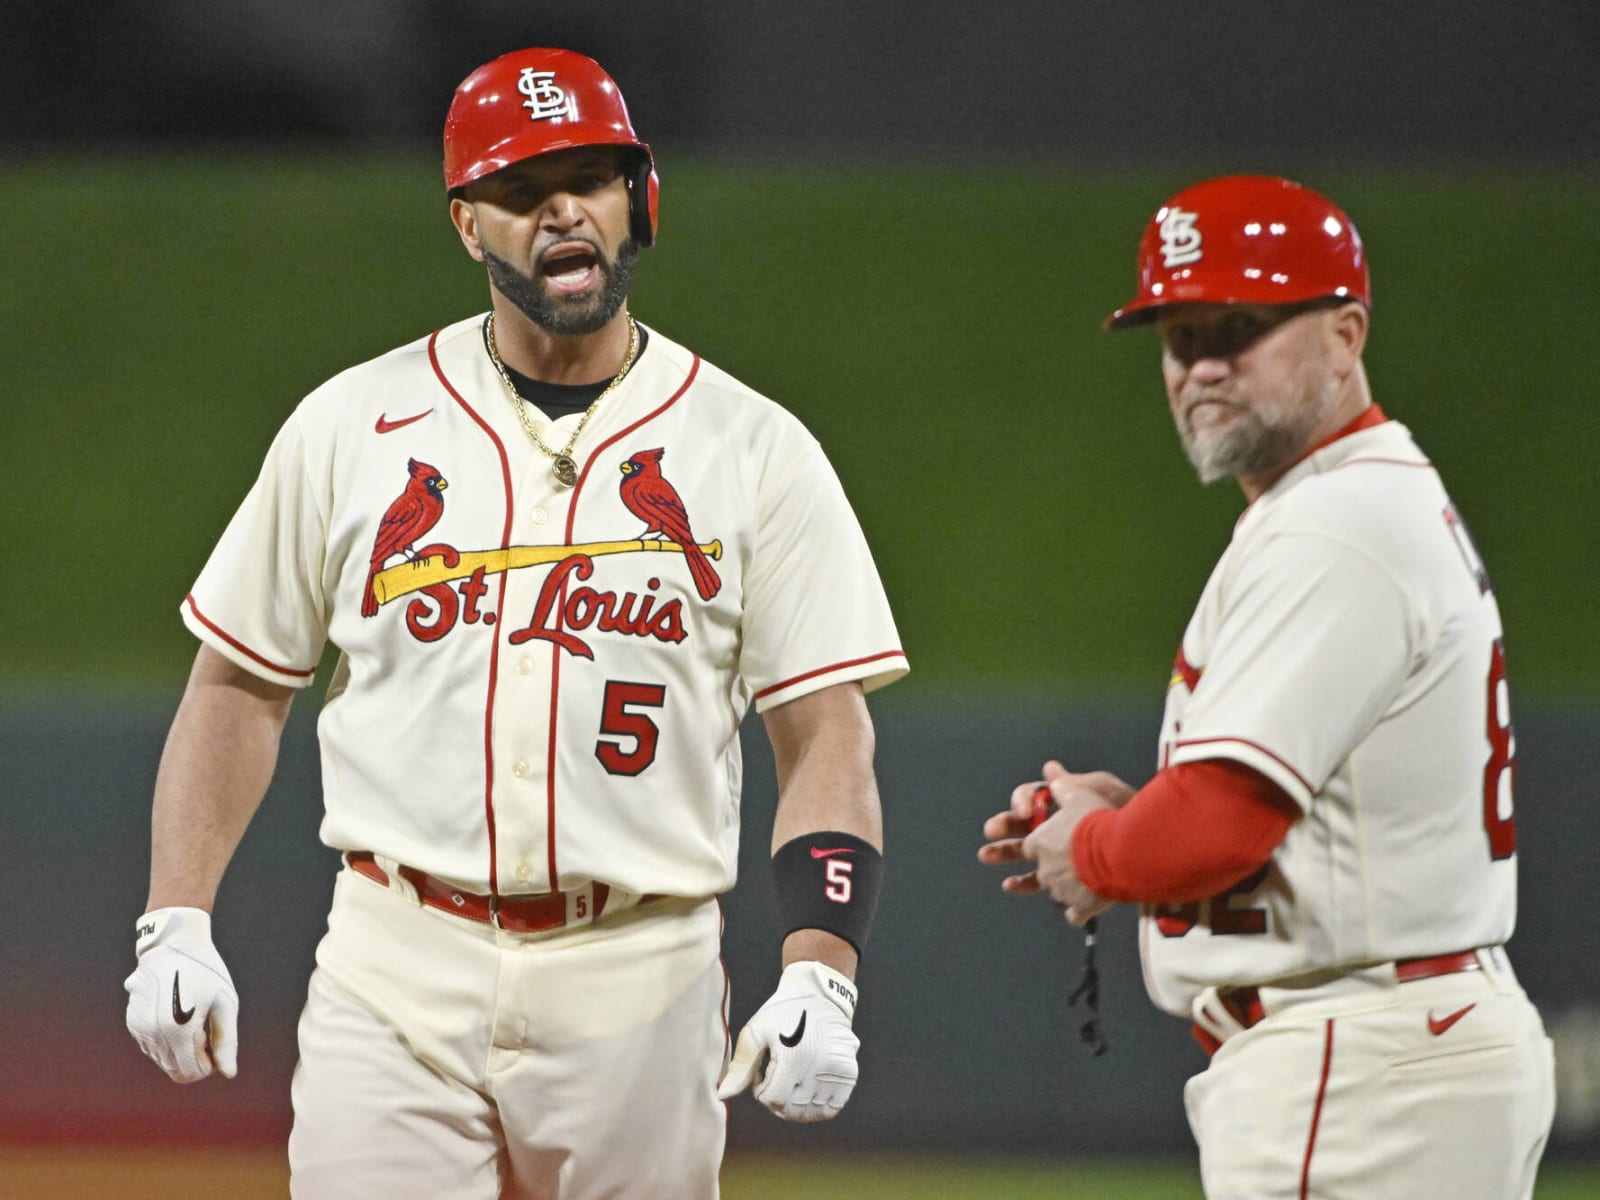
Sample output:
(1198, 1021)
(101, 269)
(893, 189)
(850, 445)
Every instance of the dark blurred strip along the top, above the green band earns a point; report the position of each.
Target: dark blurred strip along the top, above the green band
(1041, 81)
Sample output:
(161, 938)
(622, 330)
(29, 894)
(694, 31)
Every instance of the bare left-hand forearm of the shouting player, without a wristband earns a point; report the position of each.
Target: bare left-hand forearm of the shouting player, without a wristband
(218, 762)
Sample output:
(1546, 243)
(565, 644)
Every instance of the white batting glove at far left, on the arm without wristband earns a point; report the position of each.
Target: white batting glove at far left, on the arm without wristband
(183, 1009)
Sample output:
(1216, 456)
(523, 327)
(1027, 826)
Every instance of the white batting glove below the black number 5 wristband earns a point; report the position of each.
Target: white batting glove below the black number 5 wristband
(799, 1049)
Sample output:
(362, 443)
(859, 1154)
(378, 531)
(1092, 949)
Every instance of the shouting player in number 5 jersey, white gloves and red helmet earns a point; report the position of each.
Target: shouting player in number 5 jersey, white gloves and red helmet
(561, 558)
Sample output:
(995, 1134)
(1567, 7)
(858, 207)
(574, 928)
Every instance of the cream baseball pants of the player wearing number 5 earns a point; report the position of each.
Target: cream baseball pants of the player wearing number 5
(446, 1060)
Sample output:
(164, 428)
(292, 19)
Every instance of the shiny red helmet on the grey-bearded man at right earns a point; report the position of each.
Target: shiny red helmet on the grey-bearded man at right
(1246, 239)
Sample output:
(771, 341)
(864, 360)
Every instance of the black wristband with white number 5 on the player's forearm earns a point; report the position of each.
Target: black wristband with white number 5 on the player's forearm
(828, 881)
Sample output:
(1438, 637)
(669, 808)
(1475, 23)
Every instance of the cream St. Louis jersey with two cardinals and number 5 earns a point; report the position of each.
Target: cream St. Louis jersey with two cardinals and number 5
(543, 686)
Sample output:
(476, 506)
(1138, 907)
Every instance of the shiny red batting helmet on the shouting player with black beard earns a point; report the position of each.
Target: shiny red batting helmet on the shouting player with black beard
(538, 102)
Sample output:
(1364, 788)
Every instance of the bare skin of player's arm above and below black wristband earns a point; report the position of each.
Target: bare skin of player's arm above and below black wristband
(823, 748)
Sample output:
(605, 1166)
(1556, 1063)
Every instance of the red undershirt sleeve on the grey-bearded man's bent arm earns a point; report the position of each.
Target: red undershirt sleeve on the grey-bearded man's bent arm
(1191, 833)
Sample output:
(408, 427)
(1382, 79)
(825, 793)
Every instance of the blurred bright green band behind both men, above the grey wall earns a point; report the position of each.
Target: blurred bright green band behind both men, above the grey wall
(935, 327)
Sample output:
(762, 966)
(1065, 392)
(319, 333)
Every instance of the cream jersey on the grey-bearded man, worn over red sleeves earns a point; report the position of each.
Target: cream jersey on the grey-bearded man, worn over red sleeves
(1348, 647)
